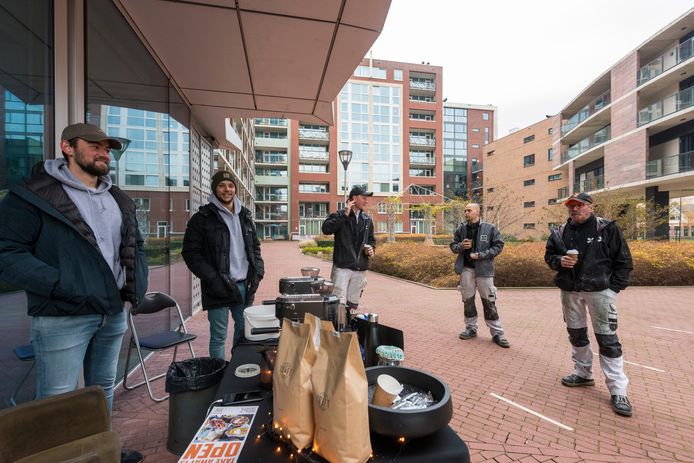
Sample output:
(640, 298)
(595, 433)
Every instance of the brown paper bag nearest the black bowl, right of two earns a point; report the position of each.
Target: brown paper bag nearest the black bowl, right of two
(341, 402)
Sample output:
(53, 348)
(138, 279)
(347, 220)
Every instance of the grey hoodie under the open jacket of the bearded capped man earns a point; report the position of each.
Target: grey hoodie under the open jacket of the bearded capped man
(99, 210)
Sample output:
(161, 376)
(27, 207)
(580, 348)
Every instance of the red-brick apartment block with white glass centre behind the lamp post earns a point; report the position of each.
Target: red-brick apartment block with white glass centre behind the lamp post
(389, 115)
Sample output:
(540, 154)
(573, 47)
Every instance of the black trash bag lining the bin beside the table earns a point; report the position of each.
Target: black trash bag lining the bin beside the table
(194, 374)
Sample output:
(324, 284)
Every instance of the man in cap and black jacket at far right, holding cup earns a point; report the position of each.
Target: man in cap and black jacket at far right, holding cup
(593, 263)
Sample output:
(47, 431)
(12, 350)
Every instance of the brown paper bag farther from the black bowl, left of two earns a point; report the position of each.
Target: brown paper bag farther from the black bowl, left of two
(291, 384)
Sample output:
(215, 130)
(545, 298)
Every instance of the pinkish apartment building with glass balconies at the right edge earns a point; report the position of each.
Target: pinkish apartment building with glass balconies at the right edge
(632, 128)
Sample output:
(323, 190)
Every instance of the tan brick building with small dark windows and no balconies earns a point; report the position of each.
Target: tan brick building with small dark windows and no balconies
(521, 187)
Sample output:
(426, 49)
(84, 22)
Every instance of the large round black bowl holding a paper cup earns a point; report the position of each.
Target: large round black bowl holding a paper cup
(410, 423)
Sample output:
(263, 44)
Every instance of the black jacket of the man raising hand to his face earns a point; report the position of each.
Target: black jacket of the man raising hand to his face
(349, 239)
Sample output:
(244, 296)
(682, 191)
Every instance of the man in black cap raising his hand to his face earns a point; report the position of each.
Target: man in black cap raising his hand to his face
(354, 245)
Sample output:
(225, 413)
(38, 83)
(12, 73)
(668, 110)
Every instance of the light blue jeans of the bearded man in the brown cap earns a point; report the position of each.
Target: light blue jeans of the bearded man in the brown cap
(65, 345)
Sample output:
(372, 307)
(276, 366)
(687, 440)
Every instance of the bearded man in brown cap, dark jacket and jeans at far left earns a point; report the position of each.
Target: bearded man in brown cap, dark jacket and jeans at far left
(69, 238)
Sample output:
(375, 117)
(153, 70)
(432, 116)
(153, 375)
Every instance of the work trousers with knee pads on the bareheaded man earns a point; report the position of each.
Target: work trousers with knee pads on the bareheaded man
(470, 283)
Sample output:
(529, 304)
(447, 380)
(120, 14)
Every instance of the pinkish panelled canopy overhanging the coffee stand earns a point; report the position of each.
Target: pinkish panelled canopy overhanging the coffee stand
(258, 58)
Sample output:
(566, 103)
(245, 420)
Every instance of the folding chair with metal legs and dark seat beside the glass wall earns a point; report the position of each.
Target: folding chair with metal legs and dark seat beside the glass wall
(153, 303)
